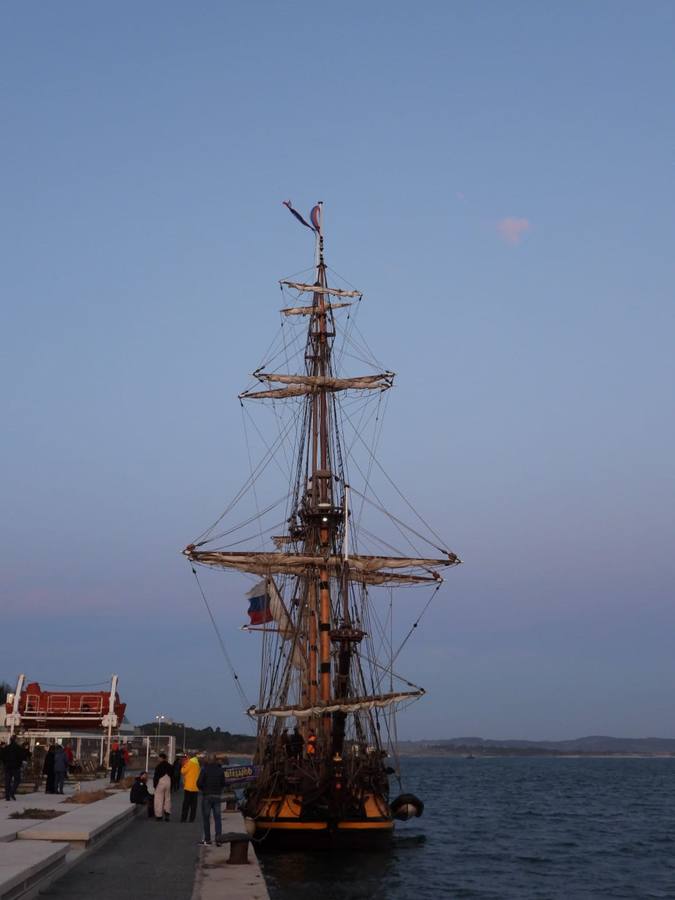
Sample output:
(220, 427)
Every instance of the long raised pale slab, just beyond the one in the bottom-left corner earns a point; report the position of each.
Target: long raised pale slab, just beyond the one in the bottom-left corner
(82, 825)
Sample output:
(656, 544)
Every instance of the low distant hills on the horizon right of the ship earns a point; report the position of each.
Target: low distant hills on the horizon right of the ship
(592, 745)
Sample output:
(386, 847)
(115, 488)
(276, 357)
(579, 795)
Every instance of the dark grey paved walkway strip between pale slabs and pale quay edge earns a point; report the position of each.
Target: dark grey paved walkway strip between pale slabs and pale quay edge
(148, 860)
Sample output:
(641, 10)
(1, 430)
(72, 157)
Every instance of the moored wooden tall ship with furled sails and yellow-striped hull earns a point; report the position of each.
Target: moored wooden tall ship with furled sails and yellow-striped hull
(326, 576)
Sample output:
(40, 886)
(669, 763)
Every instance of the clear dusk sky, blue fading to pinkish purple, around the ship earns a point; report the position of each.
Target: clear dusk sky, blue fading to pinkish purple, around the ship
(498, 180)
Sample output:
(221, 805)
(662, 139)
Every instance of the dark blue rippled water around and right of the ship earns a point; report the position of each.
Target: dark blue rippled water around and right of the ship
(510, 828)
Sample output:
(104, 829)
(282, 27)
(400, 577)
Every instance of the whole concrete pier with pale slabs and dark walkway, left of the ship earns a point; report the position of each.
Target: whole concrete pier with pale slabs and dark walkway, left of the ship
(111, 850)
